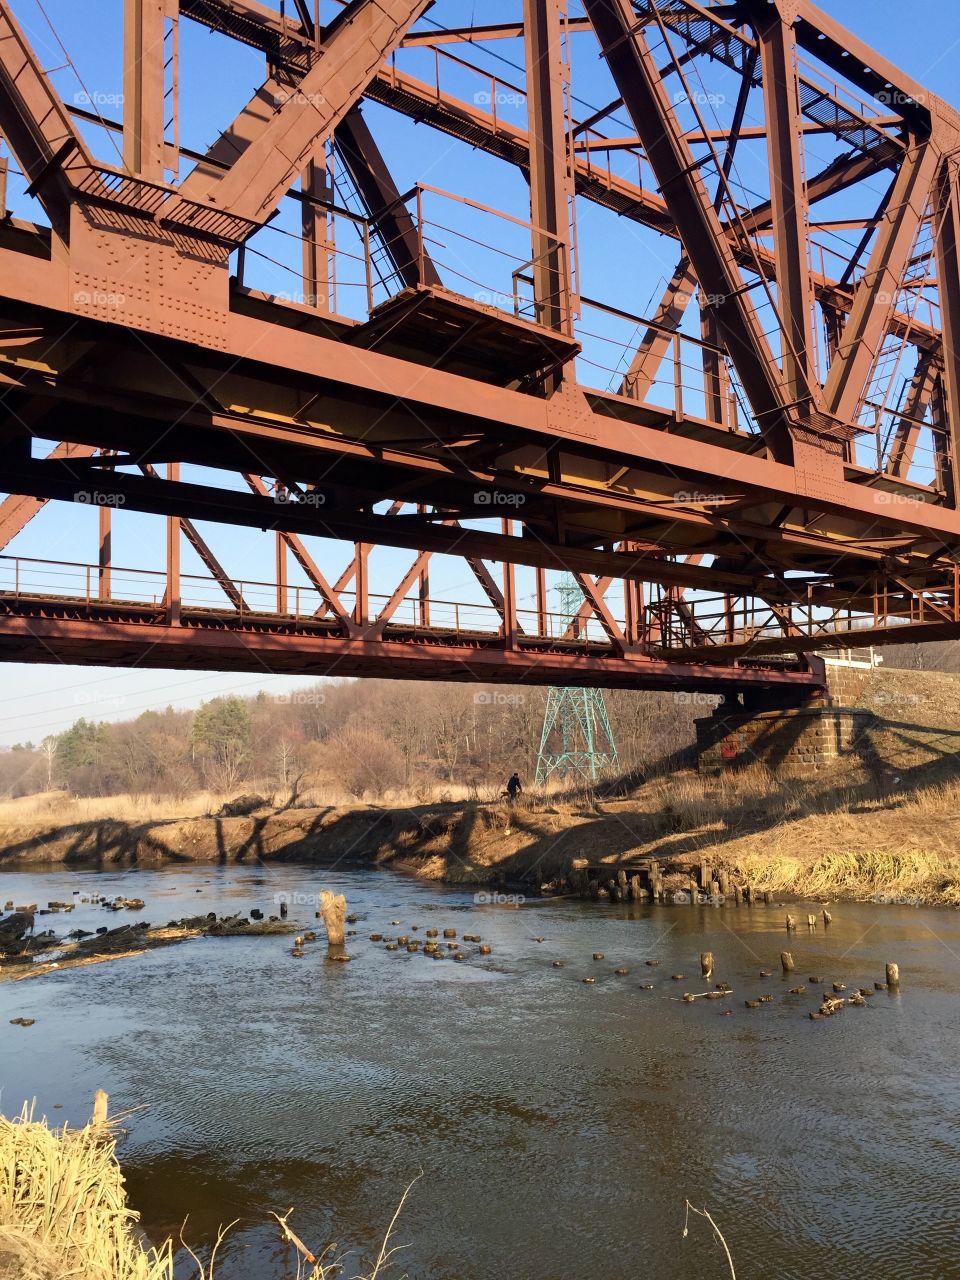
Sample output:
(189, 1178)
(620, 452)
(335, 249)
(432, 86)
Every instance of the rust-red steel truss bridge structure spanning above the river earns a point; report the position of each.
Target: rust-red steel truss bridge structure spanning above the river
(769, 467)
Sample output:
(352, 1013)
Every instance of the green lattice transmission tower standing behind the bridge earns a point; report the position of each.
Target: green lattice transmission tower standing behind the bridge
(577, 732)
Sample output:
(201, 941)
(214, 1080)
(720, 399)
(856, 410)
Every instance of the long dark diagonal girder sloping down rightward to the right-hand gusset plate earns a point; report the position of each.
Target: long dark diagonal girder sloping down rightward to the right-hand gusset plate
(702, 234)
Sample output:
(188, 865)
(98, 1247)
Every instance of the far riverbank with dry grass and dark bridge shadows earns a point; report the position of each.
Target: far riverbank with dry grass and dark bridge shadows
(801, 839)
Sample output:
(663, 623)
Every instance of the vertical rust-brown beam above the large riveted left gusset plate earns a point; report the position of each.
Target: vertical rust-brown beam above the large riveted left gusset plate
(144, 88)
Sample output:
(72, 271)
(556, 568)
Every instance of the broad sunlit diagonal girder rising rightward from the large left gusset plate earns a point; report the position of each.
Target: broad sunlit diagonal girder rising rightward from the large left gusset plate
(282, 129)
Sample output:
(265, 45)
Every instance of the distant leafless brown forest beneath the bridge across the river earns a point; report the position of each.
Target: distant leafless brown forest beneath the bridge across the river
(364, 738)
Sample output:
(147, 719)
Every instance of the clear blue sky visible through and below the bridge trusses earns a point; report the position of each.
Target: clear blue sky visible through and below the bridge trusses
(217, 79)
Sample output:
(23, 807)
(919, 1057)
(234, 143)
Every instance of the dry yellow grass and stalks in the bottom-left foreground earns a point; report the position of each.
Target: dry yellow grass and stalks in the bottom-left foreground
(63, 1213)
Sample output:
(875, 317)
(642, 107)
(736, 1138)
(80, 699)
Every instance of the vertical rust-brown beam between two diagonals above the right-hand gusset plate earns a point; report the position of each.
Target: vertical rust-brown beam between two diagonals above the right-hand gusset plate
(789, 208)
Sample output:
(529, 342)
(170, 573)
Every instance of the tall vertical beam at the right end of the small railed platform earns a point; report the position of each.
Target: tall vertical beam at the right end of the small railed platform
(551, 173)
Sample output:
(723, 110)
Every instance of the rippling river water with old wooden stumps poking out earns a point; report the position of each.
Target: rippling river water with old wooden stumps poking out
(559, 1126)
